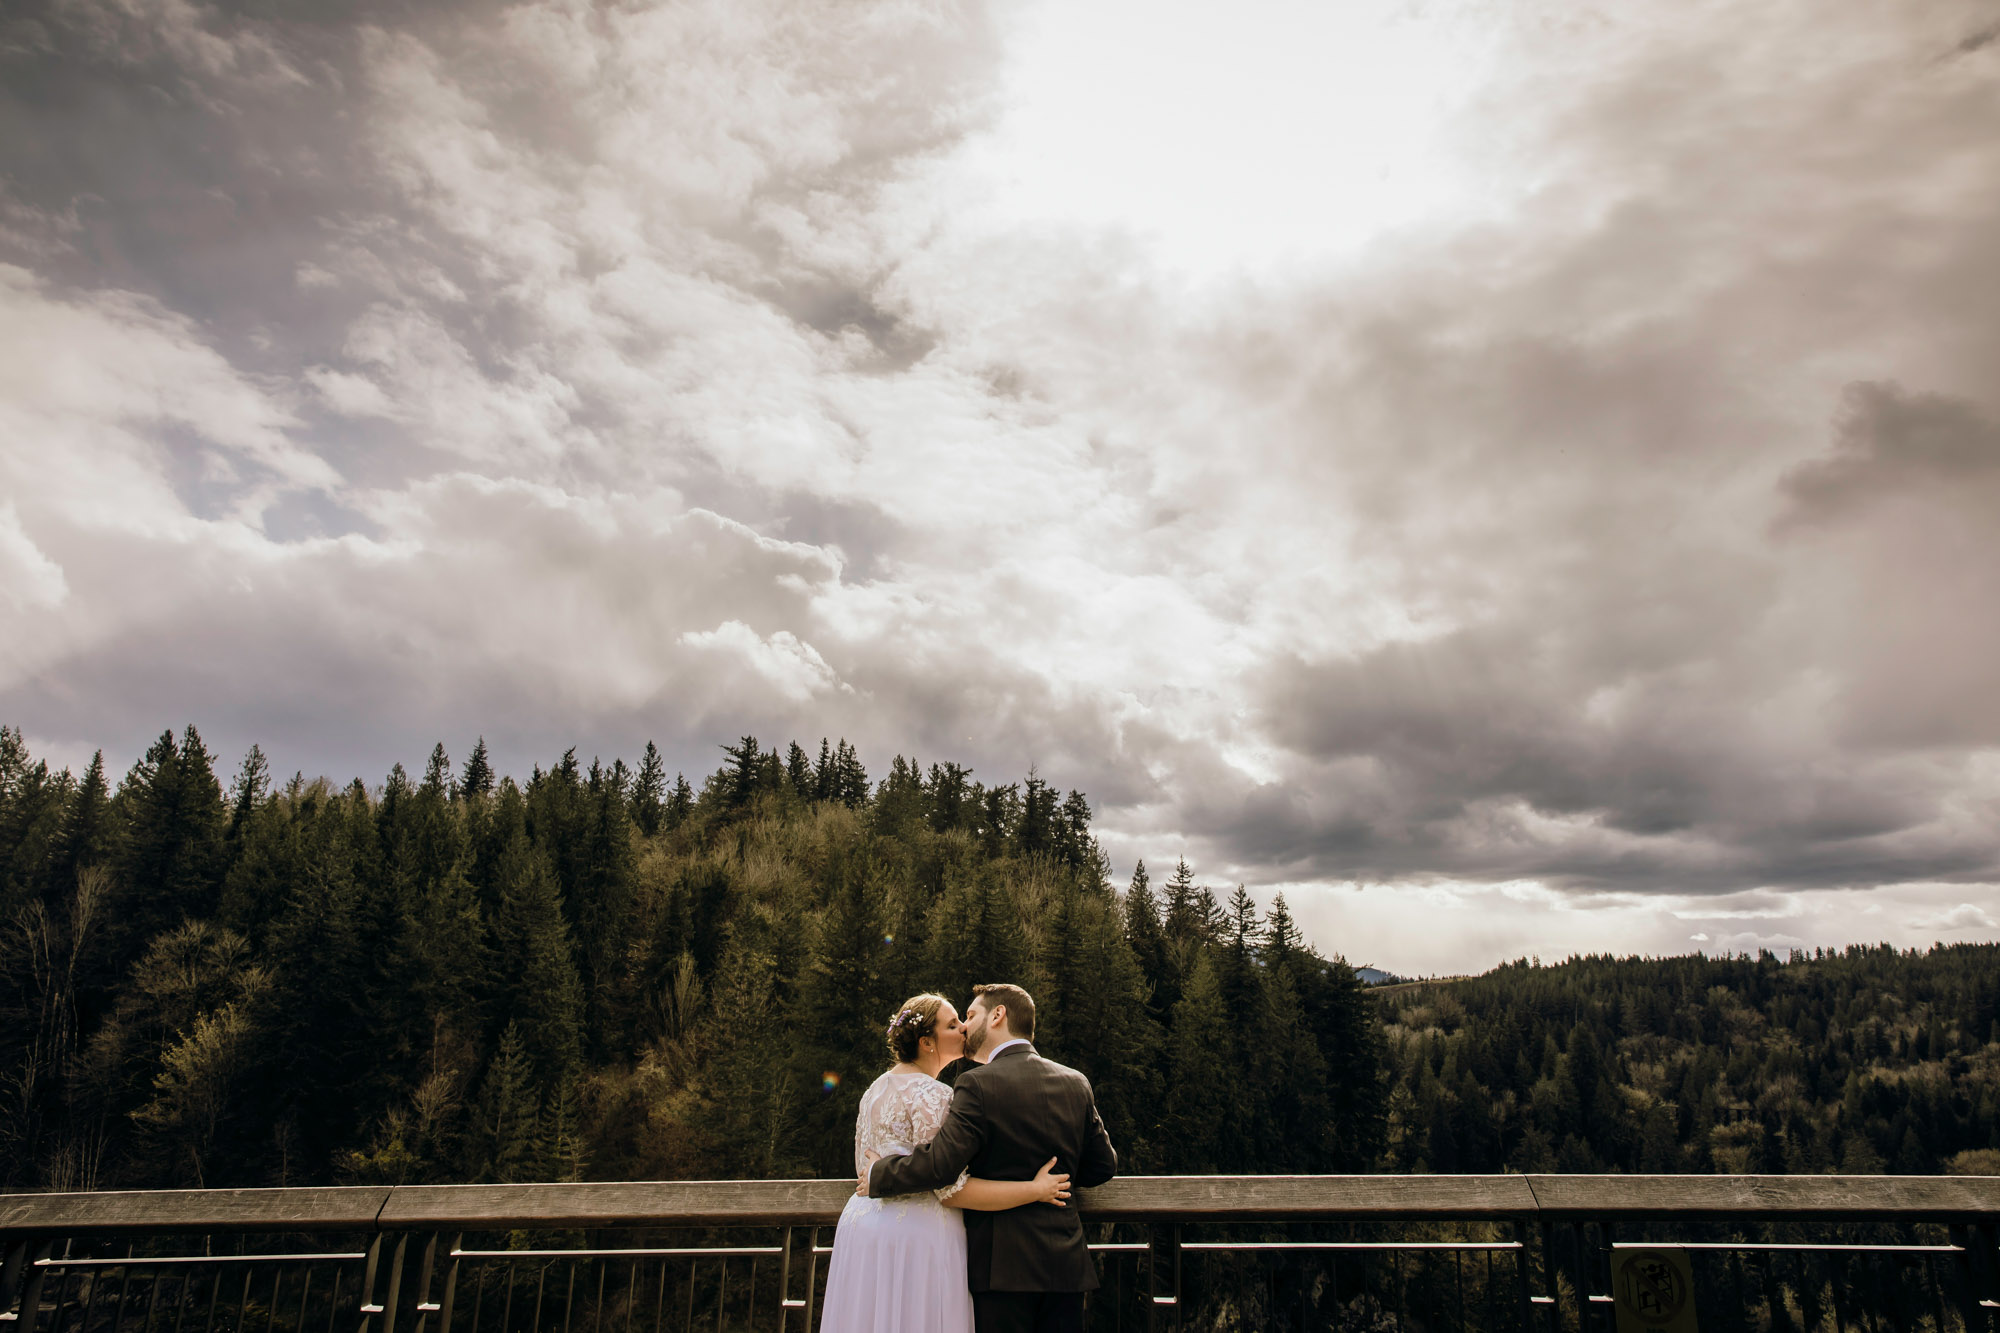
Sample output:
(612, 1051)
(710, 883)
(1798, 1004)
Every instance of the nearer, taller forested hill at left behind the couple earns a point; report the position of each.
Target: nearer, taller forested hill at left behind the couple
(607, 974)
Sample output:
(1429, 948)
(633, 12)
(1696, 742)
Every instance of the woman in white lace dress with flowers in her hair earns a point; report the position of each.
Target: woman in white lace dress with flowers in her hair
(901, 1264)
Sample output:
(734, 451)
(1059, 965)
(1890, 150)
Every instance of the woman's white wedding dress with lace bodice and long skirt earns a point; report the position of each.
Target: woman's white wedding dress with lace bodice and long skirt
(899, 1264)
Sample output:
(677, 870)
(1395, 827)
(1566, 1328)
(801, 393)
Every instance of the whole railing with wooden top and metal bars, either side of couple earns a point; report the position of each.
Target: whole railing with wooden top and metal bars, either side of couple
(1367, 1252)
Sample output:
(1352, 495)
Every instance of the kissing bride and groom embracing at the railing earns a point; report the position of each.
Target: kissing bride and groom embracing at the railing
(999, 1152)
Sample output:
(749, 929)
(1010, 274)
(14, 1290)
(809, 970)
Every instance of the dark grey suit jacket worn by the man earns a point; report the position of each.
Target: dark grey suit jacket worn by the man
(1007, 1120)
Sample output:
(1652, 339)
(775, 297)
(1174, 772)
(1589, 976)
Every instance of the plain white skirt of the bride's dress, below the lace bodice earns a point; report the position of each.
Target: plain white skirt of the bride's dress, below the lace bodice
(899, 1268)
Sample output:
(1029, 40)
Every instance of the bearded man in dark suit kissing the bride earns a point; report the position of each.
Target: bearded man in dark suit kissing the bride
(1011, 1114)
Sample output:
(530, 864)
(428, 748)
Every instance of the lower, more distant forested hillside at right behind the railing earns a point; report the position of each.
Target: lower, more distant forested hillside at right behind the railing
(1859, 1062)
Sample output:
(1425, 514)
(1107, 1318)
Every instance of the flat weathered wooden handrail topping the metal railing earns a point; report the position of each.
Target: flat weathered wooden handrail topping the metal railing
(1145, 1198)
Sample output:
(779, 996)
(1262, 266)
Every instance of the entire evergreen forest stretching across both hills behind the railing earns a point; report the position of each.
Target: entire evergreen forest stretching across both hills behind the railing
(615, 974)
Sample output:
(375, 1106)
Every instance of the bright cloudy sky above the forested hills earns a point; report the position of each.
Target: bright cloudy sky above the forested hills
(1521, 475)
